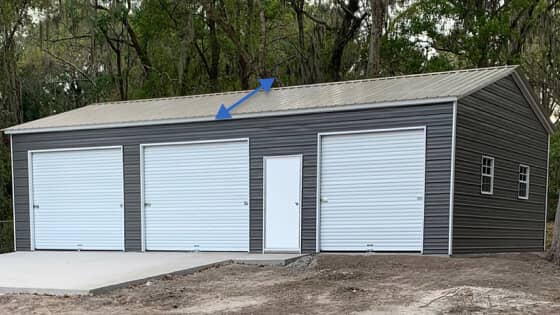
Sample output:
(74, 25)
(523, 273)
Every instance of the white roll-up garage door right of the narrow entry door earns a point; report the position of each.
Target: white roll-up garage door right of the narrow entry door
(372, 191)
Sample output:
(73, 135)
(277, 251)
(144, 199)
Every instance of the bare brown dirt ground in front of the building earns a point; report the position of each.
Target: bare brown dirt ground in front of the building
(331, 284)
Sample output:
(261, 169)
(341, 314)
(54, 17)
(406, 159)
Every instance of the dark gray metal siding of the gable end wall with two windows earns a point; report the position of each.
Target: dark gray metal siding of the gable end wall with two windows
(497, 121)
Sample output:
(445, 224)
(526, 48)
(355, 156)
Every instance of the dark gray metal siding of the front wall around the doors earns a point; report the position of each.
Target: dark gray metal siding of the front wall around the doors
(295, 134)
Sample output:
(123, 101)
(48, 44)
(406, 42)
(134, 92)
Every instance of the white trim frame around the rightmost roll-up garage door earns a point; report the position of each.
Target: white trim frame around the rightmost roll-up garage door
(349, 132)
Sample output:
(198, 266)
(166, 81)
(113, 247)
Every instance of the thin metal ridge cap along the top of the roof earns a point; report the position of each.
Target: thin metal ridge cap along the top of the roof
(415, 75)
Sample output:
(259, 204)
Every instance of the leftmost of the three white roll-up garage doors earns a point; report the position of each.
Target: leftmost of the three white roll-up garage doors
(77, 198)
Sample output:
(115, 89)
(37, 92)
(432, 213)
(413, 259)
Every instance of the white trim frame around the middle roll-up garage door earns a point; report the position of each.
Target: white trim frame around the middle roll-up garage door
(142, 147)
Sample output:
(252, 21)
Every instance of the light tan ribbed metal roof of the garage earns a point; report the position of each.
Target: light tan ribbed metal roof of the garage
(403, 90)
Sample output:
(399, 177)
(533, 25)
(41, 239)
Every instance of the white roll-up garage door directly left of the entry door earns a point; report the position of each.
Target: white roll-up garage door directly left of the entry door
(197, 196)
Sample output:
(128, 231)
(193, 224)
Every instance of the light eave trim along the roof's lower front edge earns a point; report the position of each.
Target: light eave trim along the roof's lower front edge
(447, 99)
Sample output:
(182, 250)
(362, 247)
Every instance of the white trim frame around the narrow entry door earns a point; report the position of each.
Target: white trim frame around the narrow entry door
(264, 159)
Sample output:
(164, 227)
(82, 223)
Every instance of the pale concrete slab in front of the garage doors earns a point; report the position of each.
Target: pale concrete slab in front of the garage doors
(60, 272)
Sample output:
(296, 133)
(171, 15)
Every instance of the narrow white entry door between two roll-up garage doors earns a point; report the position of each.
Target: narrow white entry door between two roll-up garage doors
(282, 191)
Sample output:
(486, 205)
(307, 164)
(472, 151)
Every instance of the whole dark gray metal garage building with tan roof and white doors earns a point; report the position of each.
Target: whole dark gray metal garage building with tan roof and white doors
(440, 163)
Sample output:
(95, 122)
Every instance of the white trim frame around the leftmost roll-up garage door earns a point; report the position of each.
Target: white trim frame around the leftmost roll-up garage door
(30, 186)
